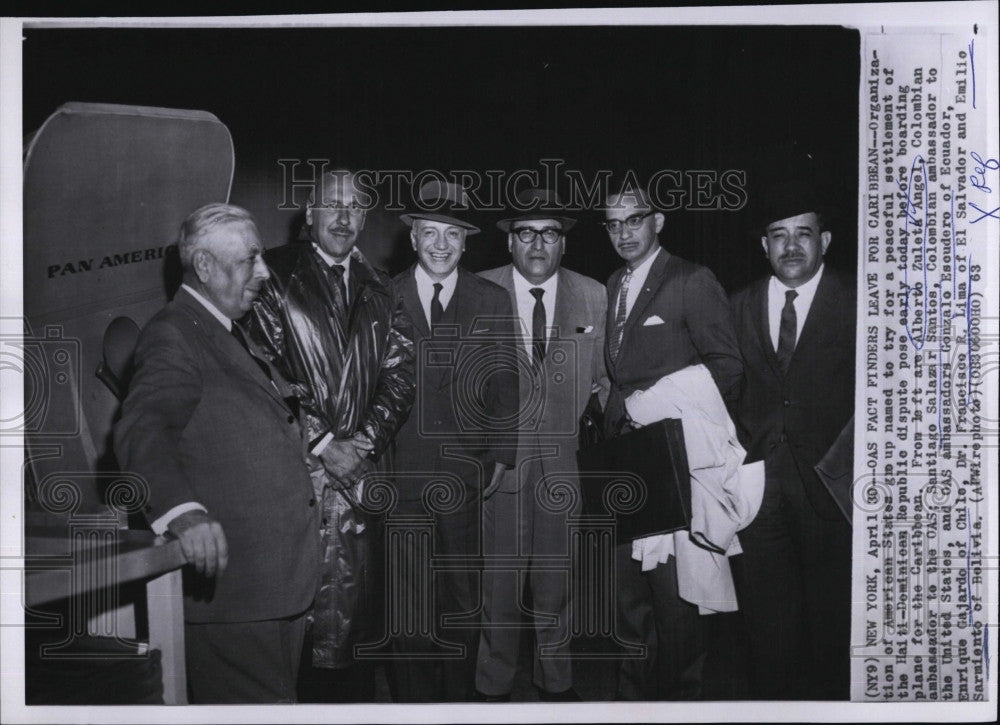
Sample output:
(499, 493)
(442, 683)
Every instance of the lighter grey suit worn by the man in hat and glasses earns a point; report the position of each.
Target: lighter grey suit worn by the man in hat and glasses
(526, 517)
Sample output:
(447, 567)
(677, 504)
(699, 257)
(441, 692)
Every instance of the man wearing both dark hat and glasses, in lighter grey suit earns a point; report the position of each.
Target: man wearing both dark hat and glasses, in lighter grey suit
(562, 319)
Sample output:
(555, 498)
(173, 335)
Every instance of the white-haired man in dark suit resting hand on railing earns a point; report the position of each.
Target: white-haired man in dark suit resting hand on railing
(208, 426)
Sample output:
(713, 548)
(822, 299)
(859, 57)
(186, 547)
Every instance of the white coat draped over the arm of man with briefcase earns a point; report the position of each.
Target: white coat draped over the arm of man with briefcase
(725, 495)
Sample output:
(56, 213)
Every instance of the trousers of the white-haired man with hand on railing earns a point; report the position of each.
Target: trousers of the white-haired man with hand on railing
(244, 662)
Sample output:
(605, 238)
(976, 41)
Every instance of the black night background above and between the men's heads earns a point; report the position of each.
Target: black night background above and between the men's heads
(759, 99)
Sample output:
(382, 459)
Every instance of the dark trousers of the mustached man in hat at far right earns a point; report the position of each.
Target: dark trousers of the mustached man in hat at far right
(794, 580)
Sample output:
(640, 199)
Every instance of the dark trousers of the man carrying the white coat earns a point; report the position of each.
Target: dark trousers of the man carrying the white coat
(650, 612)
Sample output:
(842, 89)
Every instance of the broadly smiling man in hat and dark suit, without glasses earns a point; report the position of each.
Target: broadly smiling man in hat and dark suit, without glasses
(456, 444)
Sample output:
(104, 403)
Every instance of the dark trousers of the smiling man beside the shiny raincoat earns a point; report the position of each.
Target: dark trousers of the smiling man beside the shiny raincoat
(434, 658)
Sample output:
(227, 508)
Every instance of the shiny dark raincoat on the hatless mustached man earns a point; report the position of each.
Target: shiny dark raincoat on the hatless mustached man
(352, 372)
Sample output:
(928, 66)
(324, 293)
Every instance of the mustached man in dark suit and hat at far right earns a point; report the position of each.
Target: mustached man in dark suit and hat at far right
(796, 334)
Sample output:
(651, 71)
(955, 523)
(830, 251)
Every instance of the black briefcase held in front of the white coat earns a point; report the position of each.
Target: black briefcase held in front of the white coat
(641, 479)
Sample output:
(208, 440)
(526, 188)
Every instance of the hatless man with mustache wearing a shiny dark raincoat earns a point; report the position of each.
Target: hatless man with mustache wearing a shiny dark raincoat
(328, 320)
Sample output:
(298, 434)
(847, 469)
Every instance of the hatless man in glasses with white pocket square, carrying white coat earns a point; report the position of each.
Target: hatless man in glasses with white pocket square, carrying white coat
(664, 314)
